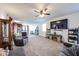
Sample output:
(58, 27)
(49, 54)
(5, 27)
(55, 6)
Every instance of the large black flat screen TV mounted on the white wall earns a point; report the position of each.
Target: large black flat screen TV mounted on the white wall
(59, 24)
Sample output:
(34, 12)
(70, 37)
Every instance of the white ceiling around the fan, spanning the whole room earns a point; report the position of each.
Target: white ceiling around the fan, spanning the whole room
(25, 11)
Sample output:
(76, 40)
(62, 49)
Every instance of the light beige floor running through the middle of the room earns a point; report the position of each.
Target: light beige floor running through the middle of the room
(40, 46)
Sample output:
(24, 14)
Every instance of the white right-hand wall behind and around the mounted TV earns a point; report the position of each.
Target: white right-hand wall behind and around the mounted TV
(72, 23)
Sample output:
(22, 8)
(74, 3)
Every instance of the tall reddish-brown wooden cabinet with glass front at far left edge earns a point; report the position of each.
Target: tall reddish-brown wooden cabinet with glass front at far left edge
(5, 34)
